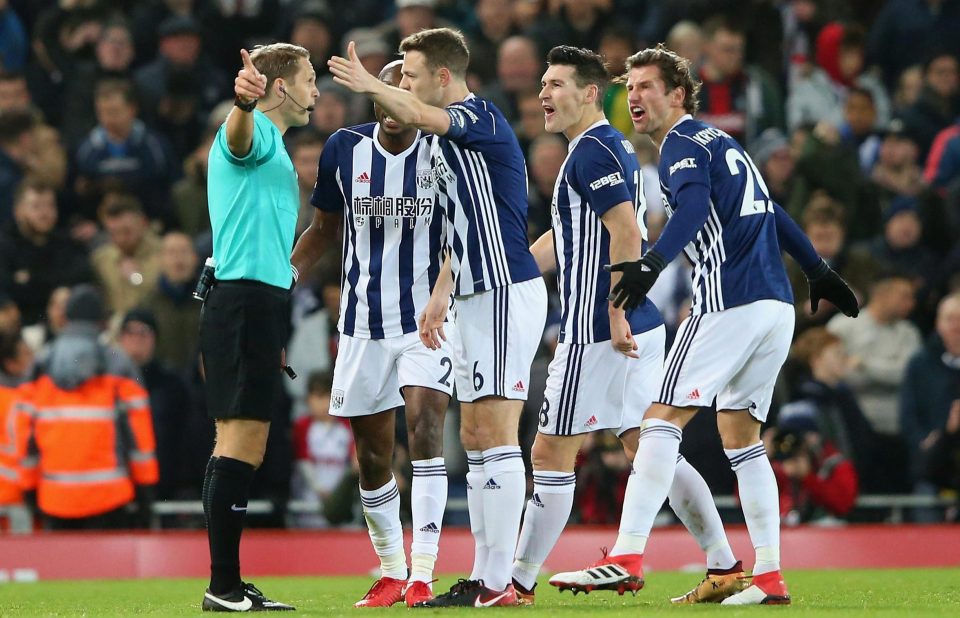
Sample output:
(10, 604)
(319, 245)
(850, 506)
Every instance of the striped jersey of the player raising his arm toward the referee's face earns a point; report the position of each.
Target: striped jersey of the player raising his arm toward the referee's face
(482, 183)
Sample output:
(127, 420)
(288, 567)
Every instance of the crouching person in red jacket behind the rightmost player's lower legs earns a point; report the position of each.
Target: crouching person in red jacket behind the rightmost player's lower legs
(815, 480)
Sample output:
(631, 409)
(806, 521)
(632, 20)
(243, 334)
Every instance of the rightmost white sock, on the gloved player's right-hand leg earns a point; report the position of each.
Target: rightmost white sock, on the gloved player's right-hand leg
(760, 501)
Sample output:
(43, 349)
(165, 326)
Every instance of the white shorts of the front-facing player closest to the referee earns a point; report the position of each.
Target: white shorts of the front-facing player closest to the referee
(370, 373)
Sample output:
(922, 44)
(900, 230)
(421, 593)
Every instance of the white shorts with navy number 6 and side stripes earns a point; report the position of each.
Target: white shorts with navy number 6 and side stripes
(500, 333)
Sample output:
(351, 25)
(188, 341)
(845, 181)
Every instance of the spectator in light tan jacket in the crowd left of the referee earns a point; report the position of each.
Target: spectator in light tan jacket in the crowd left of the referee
(128, 265)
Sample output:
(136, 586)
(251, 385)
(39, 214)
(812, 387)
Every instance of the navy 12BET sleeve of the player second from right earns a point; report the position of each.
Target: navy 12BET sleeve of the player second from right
(600, 177)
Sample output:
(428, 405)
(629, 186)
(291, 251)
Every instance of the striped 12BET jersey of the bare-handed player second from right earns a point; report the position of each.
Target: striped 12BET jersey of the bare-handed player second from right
(600, 171)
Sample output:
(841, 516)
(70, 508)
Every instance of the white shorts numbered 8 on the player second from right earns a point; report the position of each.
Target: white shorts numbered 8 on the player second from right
(591, 386)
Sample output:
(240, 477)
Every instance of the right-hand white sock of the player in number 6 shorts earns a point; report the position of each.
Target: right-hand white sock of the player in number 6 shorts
(504, 490)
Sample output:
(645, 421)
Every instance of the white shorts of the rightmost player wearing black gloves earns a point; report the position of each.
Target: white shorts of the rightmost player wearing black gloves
(733, 355)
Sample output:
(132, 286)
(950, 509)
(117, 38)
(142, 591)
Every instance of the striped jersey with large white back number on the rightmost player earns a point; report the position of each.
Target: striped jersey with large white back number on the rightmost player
(736, 255)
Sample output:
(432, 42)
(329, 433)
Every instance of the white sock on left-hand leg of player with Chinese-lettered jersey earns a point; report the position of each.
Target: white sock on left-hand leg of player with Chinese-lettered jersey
(381, 509)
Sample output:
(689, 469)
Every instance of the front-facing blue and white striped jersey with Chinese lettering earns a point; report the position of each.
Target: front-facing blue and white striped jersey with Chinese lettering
(393, 233)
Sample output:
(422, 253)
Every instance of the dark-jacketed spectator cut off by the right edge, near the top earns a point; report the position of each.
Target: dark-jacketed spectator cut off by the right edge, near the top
(937, 105)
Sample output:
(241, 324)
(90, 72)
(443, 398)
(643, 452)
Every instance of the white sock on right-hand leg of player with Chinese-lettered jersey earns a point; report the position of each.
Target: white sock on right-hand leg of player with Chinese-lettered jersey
(427, 500)
